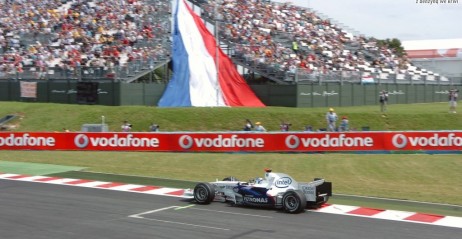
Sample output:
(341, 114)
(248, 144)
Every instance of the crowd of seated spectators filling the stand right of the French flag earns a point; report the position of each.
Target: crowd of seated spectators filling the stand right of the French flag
(291, 38)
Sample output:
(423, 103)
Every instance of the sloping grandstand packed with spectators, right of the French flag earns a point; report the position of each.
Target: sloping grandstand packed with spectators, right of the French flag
(262, 33)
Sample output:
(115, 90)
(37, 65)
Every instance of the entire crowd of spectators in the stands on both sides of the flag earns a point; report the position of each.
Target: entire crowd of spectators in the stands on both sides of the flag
(103, 38)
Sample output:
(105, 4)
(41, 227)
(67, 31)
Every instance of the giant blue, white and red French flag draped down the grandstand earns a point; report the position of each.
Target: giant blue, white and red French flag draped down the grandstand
(196, 80)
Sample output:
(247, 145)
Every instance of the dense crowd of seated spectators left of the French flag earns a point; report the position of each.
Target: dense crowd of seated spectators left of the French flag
(100, 36)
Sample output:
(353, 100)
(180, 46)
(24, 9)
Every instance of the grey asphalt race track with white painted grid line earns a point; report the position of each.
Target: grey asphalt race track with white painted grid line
(34, 210)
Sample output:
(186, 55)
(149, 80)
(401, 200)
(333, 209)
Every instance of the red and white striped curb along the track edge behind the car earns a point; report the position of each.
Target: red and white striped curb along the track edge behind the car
(440, 220)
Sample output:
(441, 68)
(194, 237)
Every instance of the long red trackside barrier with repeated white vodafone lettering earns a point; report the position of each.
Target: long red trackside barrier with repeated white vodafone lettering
(235, 141)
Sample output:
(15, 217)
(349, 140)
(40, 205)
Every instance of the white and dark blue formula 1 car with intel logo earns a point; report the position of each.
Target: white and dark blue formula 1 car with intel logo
(275, 190)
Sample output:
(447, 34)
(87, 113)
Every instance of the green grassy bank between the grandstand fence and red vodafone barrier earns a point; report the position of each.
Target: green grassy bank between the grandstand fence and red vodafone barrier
(55, 117)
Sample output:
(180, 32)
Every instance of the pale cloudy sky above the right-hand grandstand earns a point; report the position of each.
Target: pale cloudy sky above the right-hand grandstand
(402, 19)
